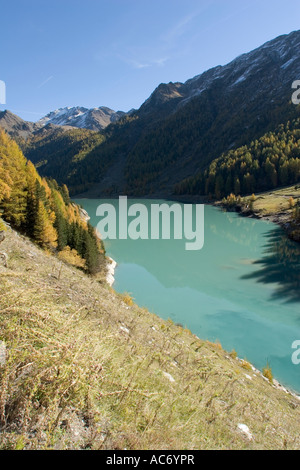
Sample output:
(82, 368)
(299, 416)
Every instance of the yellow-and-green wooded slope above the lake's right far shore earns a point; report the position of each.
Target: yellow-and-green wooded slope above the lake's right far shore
(266, 163)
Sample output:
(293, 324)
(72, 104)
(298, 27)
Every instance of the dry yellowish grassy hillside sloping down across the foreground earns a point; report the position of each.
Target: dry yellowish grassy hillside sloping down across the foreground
(86, 368)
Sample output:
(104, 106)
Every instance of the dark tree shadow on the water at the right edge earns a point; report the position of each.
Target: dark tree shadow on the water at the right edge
(280, 264)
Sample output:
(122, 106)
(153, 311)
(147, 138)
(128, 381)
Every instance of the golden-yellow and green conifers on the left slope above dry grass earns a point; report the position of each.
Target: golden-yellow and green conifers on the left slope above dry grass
(41, 209)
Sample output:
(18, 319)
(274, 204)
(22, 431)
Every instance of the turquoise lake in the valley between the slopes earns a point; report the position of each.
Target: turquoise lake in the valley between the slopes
(242, 288)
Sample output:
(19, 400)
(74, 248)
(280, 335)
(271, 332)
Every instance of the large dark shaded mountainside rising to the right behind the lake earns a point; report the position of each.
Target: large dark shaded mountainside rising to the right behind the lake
(182, 128)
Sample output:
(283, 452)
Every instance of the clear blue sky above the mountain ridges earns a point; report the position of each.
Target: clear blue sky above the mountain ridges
(114, 53)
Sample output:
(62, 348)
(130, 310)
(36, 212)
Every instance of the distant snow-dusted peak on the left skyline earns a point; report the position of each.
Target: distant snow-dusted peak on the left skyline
(95, 119)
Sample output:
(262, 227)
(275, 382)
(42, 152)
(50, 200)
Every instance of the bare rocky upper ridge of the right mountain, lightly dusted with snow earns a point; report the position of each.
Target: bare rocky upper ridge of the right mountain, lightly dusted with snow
(274, 58)
